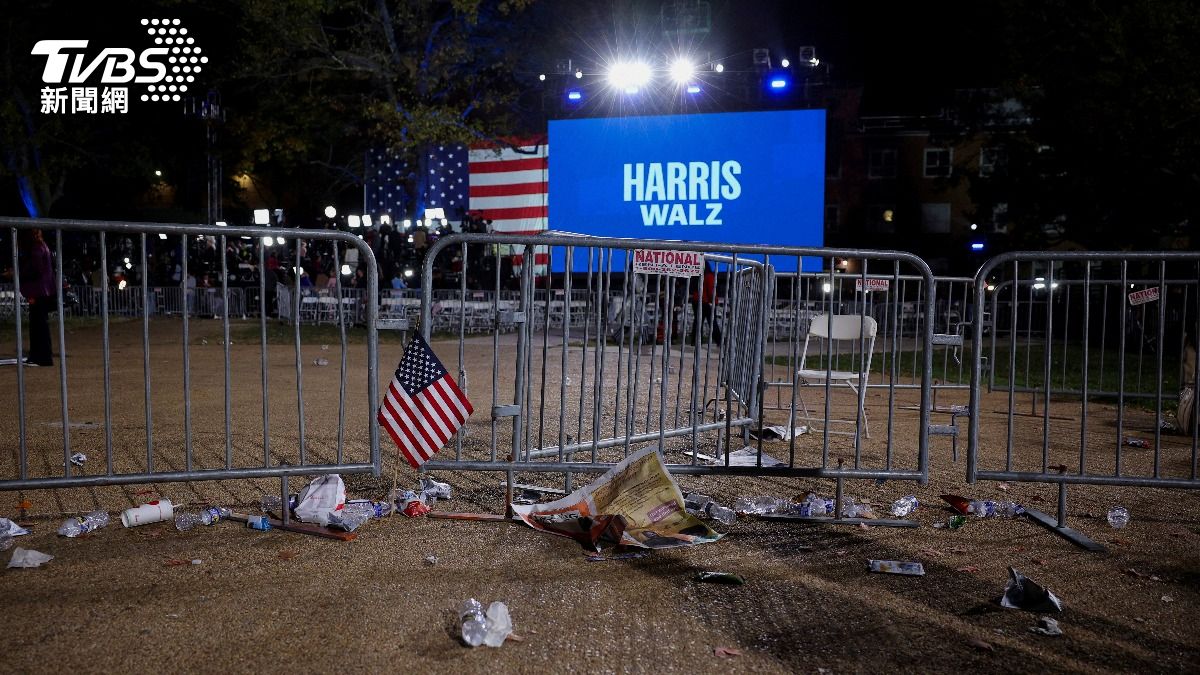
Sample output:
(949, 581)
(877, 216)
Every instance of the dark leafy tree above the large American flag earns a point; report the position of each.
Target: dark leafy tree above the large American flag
(341, 77)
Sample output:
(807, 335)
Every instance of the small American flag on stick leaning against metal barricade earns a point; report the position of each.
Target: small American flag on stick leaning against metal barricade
(424, 407)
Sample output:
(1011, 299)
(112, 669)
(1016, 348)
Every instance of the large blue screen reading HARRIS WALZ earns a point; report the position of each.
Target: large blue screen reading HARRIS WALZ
(737, 178)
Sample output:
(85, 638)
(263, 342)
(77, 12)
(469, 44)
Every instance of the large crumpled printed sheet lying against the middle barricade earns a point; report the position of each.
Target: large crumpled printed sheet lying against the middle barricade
(640, 500)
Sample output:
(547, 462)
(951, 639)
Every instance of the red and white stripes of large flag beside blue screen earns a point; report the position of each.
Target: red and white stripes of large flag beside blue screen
(509, 187)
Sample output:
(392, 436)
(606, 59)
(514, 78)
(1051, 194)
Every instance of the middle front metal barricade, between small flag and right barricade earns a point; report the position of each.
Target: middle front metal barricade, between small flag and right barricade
(605, 360)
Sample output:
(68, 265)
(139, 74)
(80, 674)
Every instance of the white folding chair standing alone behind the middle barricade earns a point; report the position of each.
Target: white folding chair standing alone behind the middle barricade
(837, 341)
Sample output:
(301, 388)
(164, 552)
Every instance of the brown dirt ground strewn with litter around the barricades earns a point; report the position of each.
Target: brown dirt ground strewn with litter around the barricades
(284, 602)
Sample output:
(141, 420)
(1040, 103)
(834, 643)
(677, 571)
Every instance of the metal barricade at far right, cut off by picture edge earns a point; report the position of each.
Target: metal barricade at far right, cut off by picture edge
(1100, 339)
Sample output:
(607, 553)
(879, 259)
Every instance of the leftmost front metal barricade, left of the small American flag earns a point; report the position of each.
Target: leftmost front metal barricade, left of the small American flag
(181, 432)
